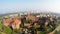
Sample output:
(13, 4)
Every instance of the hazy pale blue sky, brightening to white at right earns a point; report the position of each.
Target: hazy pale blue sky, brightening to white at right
(7, 6)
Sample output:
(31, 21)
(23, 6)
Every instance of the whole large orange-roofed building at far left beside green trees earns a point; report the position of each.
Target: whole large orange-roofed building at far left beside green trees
(14, 22)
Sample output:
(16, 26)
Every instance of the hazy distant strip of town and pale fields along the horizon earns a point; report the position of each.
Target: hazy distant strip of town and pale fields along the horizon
(37, 14)
